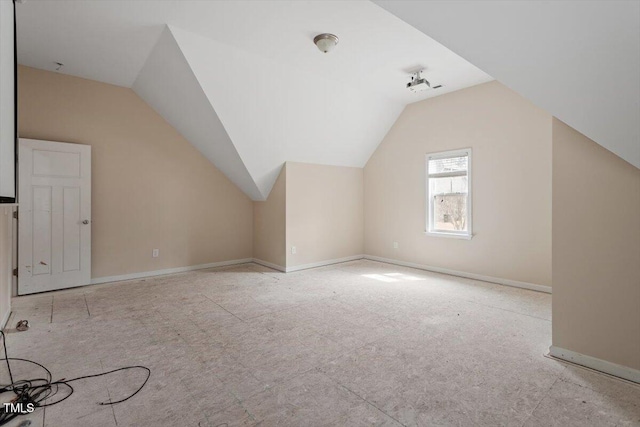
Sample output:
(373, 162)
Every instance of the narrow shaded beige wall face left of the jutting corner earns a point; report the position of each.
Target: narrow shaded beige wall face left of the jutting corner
(269, 224)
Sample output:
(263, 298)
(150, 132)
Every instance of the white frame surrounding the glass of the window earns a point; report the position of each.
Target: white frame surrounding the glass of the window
(430, 230)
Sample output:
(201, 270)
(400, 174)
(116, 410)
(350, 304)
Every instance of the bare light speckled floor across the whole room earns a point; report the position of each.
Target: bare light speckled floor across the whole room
(360, 343)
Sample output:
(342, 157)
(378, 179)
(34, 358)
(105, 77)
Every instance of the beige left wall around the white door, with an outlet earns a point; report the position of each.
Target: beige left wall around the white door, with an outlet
(150, 189)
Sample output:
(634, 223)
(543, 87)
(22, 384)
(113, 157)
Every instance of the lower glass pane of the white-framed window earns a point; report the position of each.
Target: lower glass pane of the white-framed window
(449, 203)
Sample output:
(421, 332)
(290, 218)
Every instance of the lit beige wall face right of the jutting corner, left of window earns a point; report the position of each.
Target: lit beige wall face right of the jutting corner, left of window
(324, 212)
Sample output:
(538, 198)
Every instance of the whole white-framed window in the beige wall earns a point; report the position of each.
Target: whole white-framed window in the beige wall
(449, 194)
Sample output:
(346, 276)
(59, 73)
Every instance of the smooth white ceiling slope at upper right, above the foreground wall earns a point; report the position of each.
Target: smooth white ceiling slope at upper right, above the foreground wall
(579, 60)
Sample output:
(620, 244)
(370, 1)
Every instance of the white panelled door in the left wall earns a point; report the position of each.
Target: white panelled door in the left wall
(54, 216)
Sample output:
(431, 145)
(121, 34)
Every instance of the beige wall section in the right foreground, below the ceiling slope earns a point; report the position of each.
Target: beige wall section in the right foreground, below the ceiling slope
(596, 250)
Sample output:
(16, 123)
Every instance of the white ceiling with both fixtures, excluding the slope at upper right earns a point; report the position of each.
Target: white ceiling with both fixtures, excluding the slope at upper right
(272, 96)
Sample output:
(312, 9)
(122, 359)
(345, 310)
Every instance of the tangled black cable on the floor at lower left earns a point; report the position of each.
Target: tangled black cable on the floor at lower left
(38, 390)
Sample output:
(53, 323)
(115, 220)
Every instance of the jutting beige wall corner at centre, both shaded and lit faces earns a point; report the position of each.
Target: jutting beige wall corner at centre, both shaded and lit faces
(312, 217)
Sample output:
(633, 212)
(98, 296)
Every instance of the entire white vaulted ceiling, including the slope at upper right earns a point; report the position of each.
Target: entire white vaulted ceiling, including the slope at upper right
(243, 82)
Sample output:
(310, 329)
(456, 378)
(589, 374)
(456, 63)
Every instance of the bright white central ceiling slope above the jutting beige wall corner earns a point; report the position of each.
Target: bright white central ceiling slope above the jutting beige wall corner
(276, 112)
